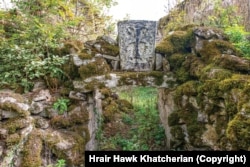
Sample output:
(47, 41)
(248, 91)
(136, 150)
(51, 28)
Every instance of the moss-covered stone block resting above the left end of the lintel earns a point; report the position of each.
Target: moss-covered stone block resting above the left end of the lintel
(98, 67)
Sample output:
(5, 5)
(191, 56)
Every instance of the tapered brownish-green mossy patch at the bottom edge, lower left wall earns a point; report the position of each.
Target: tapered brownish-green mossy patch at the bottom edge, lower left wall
(32, 151)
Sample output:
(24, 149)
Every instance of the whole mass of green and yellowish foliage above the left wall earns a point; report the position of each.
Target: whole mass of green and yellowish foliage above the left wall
(33, 32)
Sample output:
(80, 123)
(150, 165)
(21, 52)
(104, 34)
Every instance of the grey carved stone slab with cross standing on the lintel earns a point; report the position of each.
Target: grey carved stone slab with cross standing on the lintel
(137, 45)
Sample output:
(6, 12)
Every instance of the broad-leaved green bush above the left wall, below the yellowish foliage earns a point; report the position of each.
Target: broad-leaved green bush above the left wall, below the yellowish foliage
(20, 66)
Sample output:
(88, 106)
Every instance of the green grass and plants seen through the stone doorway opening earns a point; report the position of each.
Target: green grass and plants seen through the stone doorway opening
(145, 131)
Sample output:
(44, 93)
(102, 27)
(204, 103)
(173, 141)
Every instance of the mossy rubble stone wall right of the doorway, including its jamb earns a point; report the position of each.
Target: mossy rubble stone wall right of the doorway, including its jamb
(209, 107)
